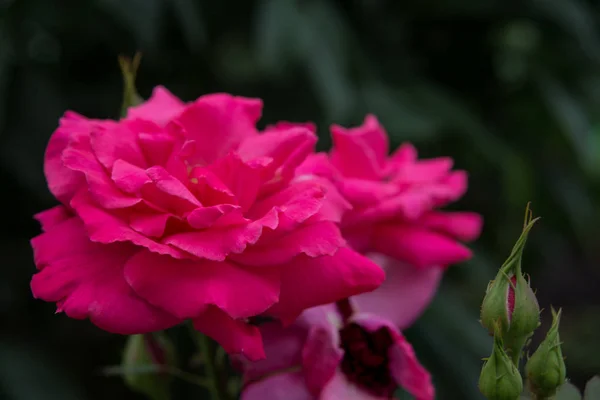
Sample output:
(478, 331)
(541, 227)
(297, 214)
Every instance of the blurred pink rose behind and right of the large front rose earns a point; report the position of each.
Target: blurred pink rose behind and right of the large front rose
(395, 213)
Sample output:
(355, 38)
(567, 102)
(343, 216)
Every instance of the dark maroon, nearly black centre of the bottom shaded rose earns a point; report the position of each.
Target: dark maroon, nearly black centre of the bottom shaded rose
(366, 361)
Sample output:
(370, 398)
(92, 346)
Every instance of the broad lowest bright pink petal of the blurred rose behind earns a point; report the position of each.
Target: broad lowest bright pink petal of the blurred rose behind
(418, 246)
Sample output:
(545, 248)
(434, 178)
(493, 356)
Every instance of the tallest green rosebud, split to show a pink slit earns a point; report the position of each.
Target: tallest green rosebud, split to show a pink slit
(509, 300)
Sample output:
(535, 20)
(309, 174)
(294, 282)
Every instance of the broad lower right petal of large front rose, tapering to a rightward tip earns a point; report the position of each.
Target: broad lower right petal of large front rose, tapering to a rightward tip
(308, 282)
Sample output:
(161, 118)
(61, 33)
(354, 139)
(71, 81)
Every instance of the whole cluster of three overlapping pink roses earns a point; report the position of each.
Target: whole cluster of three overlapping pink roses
(187, 211)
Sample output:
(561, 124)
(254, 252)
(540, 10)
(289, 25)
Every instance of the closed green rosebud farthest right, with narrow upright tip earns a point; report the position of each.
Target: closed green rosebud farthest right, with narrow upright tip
(546, 370)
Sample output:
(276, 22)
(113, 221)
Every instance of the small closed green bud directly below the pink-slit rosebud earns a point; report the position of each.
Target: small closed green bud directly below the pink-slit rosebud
(500, 379)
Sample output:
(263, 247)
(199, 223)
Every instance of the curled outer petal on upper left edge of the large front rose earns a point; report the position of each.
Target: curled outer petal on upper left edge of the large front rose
(62, 181)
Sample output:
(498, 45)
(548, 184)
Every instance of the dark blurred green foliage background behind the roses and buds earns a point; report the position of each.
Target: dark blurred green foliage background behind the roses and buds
(509, 89)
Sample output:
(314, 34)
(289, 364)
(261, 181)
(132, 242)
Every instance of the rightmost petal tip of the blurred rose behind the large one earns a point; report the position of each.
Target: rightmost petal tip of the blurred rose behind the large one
(465, 226)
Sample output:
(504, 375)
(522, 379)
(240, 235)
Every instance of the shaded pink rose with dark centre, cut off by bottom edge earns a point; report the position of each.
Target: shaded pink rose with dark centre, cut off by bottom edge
(333, 352)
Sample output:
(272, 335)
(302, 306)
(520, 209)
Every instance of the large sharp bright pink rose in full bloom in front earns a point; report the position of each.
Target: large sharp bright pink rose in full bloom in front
(186, 211)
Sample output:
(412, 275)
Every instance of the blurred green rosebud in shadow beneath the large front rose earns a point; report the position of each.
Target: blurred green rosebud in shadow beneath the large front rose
(143, 359)
